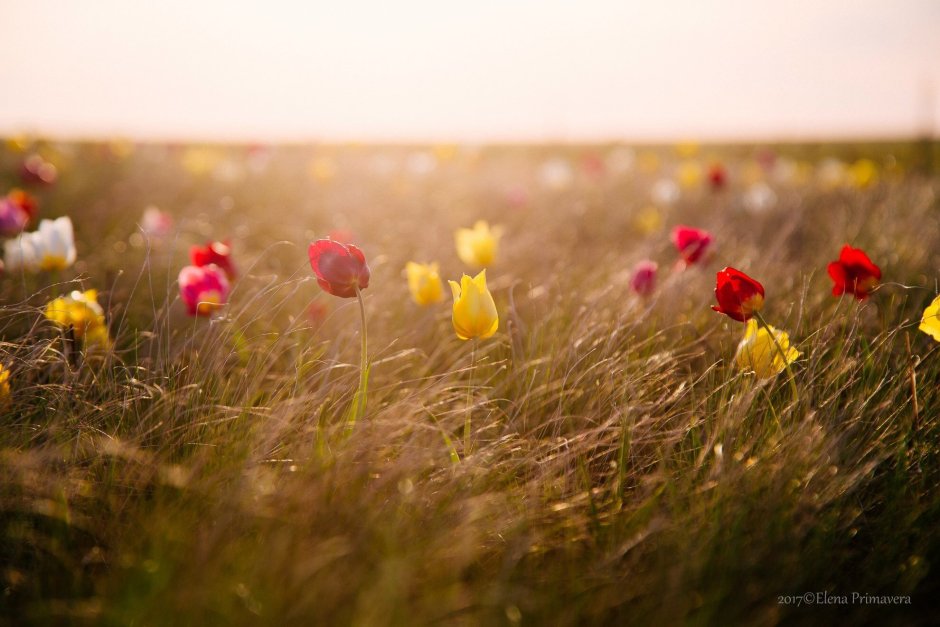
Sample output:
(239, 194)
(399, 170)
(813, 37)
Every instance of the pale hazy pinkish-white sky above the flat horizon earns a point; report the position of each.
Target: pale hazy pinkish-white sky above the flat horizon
(488, 70)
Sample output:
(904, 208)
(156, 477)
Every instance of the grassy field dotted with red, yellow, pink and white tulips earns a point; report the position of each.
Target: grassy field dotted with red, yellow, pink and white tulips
(469, 385)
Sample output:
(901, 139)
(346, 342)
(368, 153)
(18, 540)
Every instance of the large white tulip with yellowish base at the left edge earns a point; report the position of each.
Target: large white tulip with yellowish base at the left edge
(52, 247)
